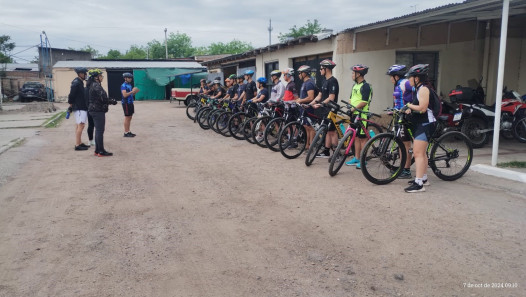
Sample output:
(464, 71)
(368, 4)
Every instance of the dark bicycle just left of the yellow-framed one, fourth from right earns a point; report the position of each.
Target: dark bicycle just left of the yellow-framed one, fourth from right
(292, 139)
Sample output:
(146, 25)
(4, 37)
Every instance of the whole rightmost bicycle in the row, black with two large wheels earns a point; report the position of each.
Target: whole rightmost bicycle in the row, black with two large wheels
(383, 156)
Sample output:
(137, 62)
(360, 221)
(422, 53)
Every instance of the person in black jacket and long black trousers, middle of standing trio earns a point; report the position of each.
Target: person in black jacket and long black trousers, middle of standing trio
(98, 106)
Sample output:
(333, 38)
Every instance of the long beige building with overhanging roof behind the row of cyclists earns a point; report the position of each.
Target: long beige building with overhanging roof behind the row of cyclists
(459, 41)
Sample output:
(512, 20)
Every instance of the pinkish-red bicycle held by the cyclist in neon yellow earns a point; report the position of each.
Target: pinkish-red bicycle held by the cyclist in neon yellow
(345, 146)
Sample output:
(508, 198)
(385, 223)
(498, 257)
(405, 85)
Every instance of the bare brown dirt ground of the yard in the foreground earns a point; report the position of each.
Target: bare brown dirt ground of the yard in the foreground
(179, 211)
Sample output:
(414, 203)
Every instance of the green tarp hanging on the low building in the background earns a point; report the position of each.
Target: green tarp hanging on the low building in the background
(152, 81)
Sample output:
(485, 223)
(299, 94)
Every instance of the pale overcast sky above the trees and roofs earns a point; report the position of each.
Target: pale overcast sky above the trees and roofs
(111, 24)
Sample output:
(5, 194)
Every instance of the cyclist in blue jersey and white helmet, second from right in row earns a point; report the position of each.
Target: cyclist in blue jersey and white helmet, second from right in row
(402, 94)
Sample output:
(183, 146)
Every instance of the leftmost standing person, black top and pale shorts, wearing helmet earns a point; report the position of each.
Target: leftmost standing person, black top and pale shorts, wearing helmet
(78, 103)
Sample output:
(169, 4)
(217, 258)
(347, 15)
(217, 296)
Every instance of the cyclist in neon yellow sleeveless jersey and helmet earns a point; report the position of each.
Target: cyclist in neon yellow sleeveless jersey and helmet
(360, 97)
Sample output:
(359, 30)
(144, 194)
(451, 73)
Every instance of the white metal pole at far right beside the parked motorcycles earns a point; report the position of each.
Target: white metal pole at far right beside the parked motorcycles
(500, 80)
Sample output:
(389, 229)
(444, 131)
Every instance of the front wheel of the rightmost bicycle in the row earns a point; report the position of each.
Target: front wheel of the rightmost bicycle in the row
(382, 158)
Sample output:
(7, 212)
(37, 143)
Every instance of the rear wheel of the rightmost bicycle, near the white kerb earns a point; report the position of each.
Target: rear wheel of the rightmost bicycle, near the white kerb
(451, 156)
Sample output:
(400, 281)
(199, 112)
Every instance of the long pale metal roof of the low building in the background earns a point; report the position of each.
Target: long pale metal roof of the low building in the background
(128, 64)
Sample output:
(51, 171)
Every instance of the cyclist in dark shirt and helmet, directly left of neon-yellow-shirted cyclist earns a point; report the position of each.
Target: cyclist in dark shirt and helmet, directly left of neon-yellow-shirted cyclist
(329, 92)
